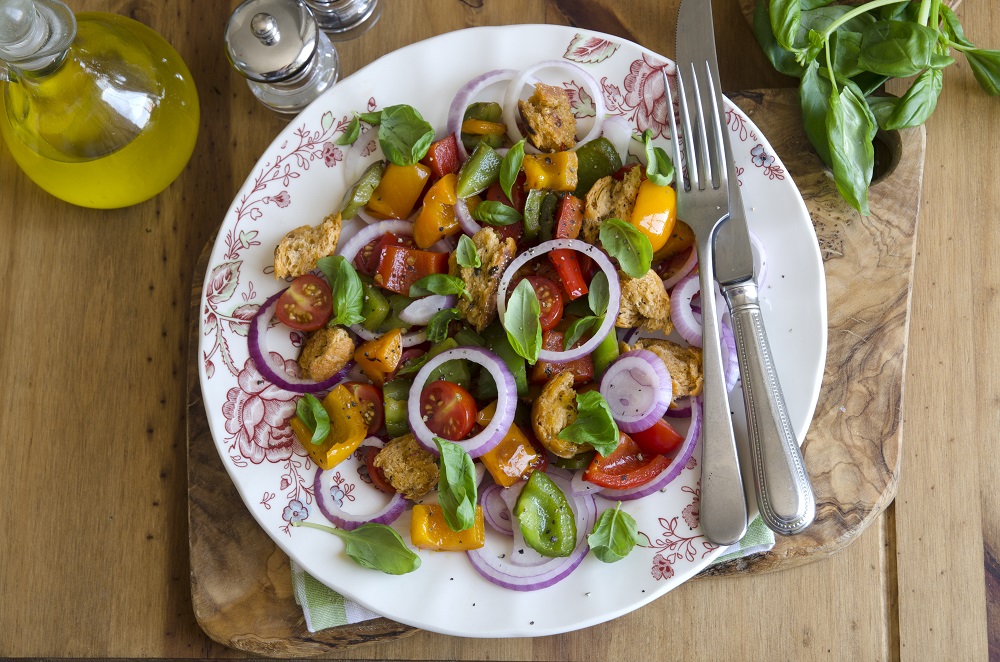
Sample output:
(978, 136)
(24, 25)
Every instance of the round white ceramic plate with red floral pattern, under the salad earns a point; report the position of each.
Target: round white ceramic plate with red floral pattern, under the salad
(300, 179)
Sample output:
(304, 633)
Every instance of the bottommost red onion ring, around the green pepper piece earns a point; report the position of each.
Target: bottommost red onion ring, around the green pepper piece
(502, 569)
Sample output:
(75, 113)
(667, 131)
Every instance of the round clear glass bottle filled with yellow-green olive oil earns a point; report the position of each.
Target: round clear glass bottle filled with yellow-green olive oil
(97, 109)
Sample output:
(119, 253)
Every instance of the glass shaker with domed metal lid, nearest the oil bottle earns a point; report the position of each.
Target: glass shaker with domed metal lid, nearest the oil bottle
(278, 47)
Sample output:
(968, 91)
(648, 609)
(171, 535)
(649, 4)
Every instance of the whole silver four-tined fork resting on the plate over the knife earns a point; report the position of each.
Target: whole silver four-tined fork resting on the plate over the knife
(703, 203)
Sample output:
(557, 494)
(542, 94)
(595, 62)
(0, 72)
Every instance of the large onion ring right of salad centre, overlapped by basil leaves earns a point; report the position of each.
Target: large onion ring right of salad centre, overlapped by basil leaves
(614, 289)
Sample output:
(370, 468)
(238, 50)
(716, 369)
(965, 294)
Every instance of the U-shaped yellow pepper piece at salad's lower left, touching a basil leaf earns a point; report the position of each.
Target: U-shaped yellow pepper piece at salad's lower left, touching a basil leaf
(347, 429)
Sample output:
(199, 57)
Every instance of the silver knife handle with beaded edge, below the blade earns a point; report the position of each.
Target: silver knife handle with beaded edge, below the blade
(784, 493)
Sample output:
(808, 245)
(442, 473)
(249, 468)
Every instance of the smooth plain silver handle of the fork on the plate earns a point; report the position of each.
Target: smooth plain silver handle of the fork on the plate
(723, 502)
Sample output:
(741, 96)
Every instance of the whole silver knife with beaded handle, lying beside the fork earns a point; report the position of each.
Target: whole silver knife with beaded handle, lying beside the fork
(784, 493)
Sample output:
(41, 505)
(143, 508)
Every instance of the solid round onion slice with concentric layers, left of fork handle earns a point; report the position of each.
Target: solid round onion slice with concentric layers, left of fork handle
(638, 389)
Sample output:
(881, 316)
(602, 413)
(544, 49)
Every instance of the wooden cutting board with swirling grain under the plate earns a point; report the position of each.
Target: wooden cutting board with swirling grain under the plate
(241, 582)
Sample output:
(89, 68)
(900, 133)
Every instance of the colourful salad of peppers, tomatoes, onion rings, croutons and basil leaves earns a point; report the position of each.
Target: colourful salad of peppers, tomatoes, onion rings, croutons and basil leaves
(477, 342)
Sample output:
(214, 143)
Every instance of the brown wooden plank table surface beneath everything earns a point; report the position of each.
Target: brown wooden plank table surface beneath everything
(93, 345)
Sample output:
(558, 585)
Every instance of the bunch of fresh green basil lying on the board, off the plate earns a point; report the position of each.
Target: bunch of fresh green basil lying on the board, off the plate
(844, 54)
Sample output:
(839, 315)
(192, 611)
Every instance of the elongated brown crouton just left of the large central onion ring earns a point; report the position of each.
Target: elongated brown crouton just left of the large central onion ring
(482, 283)
